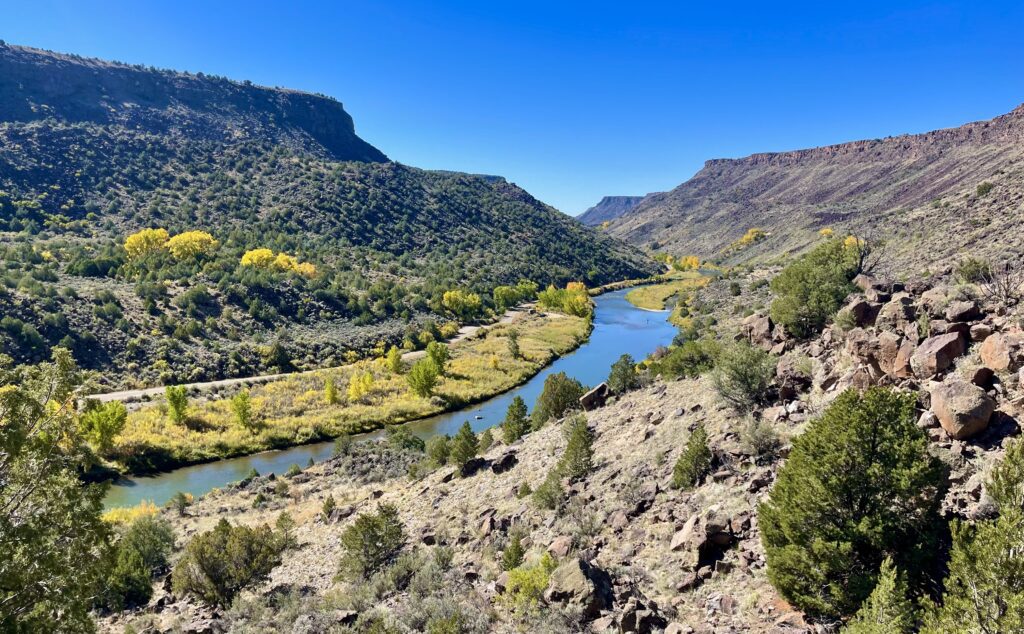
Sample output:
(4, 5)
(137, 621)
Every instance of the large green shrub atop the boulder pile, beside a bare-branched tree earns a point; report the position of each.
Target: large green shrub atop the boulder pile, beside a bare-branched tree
(810, 290)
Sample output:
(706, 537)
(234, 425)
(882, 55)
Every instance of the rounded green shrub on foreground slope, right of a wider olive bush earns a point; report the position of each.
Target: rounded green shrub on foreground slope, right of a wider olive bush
(372, 542)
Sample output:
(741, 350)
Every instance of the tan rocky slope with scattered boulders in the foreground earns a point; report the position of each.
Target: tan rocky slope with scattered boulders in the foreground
(634, 555)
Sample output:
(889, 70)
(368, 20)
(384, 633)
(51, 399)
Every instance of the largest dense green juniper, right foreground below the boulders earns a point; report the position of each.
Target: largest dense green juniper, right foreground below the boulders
(859, 486)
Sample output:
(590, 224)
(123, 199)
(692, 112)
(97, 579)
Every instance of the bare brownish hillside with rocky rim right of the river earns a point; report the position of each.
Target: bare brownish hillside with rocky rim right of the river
(914, 191)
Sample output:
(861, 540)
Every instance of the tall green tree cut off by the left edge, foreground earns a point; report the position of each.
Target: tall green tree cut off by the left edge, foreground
(53, 541)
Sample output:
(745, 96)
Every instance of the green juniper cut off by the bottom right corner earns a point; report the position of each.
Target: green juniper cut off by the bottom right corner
(985, 589)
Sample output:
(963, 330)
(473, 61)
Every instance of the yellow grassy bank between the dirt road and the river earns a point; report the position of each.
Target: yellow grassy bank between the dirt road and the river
(295, 411)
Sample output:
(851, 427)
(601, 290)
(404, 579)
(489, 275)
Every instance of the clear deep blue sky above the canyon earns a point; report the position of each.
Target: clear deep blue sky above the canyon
(578, 101)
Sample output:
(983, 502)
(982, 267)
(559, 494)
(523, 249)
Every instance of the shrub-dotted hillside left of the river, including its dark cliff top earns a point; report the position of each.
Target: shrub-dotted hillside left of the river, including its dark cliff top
(93, 152)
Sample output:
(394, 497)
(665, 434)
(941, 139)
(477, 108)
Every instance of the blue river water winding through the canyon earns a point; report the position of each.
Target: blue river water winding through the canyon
(620, 328)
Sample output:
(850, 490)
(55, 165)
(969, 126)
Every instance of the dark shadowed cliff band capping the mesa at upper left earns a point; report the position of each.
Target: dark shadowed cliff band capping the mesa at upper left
(37, 86)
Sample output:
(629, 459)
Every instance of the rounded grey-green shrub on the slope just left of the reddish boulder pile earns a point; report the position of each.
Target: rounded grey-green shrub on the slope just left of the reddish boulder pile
(743, 375)
